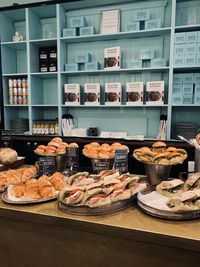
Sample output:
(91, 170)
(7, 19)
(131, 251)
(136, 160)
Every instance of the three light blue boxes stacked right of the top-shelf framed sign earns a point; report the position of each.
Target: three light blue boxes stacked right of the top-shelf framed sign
(141, 20)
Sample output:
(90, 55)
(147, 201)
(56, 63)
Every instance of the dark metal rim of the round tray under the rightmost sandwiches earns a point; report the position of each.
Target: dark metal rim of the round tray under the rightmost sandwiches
(164, 214)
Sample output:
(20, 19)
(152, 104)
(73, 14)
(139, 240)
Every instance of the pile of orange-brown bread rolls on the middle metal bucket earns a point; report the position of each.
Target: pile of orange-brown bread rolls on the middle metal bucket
(104, 151)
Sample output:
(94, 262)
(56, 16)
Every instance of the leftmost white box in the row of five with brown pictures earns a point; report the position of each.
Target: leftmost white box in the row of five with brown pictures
(72, 94)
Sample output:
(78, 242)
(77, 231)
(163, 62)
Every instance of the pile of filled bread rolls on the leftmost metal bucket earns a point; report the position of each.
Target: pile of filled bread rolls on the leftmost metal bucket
(55, 147)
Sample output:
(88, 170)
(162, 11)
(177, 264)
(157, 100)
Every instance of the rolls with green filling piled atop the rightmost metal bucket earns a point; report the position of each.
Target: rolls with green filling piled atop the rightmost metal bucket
(159, 153)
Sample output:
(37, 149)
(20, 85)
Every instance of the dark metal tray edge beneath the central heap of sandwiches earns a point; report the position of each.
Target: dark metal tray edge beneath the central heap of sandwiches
(85, 210)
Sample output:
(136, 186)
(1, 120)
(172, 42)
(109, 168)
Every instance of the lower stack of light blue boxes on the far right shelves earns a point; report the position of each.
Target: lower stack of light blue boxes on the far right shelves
(186, 89)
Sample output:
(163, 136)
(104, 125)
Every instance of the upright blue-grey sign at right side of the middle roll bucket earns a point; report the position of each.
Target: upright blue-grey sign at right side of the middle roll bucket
(121, 160)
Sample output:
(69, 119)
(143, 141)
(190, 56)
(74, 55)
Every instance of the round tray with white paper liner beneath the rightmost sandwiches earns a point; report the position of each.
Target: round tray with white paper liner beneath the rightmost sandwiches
(150, 208)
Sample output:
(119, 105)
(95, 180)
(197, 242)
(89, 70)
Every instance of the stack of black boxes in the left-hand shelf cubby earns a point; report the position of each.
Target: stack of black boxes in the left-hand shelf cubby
(48, 59)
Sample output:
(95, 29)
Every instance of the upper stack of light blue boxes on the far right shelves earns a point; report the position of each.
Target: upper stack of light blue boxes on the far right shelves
(187, 49)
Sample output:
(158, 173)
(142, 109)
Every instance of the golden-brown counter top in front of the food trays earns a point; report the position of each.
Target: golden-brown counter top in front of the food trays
(130, 223)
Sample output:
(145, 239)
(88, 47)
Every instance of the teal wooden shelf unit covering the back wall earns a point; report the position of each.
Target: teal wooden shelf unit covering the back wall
(42, 26)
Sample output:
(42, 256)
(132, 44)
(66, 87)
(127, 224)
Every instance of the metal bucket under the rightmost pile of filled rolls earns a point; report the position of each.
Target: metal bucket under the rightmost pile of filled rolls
(157, 173)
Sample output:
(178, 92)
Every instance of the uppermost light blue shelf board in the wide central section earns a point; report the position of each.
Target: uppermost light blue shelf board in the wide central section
(120, 35)
